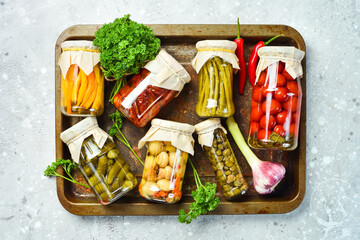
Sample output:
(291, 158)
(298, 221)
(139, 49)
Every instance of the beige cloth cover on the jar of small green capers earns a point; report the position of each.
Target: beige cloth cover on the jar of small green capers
(205, 131)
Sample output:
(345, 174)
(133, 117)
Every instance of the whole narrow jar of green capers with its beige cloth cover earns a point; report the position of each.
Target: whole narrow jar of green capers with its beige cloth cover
(212, 137)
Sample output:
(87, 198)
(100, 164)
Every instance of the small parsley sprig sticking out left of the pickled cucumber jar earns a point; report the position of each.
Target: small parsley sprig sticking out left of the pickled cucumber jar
(67, 165)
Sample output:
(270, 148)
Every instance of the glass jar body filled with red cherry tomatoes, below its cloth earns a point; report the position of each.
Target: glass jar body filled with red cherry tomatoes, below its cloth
(275, 109)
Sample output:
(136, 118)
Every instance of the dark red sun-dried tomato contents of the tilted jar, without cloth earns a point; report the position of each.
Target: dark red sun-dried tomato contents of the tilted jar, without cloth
(139, 101)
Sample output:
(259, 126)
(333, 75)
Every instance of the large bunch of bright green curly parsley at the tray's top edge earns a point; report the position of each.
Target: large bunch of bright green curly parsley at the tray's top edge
(125, 46)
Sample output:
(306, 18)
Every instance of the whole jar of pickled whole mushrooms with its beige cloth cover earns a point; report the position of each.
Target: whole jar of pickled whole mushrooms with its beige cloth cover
(165, 161)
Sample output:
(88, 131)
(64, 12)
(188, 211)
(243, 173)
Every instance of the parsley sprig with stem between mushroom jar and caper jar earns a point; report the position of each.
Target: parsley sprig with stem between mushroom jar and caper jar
(205, 199)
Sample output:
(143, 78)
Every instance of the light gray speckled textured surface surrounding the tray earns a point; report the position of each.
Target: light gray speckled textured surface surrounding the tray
(29, 208)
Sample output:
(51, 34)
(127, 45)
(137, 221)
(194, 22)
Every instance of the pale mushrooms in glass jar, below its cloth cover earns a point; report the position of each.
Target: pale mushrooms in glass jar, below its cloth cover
(164, 172)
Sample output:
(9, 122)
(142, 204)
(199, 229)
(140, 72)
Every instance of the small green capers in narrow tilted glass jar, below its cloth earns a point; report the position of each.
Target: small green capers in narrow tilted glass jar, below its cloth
(226, 167)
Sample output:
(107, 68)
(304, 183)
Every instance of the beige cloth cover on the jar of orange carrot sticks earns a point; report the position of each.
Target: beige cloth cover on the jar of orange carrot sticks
(86, 59)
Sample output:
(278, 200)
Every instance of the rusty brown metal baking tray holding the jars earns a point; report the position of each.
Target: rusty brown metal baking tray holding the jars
(179, 41)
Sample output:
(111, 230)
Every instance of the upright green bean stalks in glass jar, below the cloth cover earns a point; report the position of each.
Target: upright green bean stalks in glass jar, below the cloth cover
(215, 89)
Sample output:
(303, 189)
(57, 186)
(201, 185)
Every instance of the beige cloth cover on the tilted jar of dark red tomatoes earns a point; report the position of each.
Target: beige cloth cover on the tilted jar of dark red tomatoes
(167, 72)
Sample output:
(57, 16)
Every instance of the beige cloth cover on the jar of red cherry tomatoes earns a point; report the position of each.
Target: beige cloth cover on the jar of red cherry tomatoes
(291, 56)
